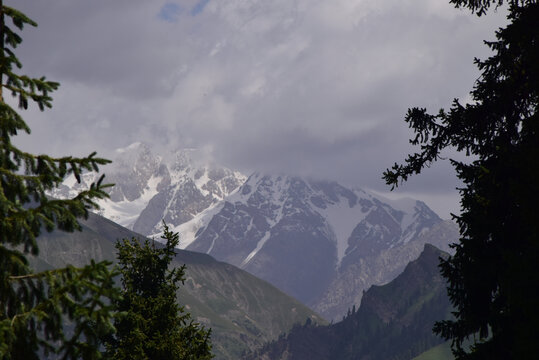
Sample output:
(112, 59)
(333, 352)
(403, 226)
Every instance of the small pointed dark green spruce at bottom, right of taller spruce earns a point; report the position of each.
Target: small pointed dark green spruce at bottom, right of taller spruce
(150, 323)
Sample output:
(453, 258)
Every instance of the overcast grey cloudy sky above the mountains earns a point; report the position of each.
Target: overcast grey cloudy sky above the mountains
(309, 87)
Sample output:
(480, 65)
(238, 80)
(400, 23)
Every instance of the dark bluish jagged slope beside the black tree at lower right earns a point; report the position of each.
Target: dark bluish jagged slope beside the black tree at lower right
(394, 321)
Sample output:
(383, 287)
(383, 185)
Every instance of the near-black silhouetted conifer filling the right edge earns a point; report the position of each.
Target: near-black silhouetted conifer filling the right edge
(494, 275)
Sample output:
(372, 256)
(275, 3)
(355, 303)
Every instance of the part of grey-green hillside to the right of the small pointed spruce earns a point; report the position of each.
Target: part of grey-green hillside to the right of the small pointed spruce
(250, 311)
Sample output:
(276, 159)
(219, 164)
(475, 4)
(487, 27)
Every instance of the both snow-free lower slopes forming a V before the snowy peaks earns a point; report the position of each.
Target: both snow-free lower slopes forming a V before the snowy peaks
(253, 320)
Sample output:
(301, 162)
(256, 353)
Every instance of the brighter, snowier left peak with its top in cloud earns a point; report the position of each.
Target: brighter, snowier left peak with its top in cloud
(149, 188)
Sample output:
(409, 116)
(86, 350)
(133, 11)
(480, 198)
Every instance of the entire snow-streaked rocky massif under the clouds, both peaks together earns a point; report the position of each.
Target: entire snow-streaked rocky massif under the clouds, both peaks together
(318, 241)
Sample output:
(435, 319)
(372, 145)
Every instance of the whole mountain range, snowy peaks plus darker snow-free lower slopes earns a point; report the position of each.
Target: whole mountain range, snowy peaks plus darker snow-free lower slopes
(320, 242)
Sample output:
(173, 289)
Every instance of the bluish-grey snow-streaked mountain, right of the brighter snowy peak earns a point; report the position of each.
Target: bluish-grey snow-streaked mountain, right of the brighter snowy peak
(304, 236)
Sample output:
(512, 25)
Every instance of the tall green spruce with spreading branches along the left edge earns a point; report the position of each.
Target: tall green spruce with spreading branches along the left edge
(62, 311)
